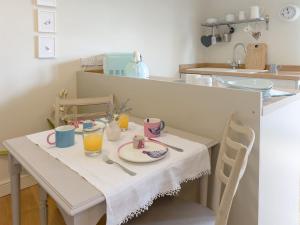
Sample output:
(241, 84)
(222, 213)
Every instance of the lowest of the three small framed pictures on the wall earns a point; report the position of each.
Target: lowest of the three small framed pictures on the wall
(46, 47)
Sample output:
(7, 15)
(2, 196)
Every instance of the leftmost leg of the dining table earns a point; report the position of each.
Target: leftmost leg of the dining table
(15, 170)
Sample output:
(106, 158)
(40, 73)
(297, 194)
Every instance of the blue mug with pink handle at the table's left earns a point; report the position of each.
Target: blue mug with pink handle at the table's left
(64, 136)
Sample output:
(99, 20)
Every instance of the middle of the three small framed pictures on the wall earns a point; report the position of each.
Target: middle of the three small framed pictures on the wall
(46, 21)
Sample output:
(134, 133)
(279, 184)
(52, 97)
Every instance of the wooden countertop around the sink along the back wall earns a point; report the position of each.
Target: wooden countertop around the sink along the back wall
(287, 73)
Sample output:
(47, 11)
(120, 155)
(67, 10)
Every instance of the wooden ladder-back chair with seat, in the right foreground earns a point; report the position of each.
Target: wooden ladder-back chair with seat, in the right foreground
(231, 164)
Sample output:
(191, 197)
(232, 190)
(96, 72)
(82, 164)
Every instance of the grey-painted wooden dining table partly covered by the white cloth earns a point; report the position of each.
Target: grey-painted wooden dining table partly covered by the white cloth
(79, 201)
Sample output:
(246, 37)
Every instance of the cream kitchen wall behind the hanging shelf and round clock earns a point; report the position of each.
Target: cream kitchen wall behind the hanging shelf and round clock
(282, 38)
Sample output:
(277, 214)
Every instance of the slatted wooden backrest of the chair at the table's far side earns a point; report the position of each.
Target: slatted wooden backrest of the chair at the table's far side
(67, 109)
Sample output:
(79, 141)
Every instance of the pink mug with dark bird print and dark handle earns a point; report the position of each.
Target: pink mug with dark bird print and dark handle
(153, 127)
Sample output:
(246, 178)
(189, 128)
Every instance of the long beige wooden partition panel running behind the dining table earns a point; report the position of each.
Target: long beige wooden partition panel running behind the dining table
(196, 109)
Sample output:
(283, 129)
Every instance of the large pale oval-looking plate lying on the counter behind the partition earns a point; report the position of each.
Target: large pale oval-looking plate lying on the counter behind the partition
(255, 84)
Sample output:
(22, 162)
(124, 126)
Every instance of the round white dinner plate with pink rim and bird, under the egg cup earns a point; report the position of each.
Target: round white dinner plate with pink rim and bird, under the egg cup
(128, 153)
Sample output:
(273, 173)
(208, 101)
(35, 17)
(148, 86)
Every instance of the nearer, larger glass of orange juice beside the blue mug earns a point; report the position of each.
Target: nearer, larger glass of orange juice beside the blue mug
(92, 141)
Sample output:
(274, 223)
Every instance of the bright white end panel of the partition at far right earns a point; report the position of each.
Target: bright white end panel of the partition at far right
(279, 186)
